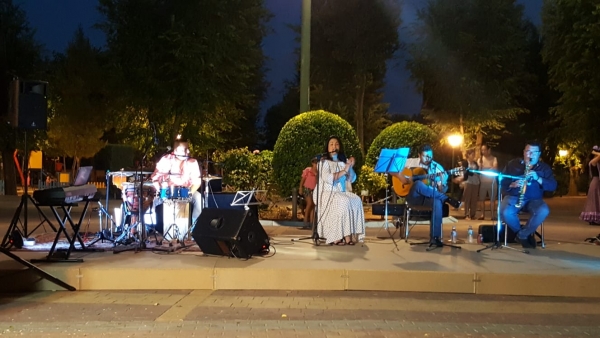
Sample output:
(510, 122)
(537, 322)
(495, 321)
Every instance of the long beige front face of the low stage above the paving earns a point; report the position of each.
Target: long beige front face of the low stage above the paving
(93, 279)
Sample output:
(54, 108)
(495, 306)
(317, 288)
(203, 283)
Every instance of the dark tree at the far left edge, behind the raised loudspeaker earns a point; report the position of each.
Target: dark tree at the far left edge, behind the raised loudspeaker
(20, 57)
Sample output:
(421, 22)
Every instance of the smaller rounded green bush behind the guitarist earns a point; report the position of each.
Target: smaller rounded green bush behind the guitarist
(401, 135)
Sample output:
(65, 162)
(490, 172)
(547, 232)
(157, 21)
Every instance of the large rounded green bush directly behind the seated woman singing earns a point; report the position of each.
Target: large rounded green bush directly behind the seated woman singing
(302, 138)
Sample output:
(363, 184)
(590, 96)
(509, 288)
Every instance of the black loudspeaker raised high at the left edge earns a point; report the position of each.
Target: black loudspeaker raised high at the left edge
(28, 105)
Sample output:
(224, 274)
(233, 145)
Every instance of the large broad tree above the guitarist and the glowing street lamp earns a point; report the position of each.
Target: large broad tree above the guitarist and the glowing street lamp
(469, 61)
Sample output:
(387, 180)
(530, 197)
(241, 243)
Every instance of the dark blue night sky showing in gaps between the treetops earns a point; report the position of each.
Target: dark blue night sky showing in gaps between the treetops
(55, 22)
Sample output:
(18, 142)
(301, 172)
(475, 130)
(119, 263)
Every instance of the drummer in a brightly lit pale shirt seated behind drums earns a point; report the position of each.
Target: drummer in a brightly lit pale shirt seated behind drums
(178, 169)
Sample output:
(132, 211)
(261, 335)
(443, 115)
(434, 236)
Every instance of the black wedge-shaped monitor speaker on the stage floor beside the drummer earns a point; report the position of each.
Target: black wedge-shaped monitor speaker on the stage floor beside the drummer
(230, 232)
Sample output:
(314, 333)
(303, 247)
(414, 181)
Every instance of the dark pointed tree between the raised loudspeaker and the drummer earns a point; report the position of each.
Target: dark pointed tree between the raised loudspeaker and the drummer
(80, 101)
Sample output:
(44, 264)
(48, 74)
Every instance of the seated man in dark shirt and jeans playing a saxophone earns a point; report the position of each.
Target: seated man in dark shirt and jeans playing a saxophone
(539, 178)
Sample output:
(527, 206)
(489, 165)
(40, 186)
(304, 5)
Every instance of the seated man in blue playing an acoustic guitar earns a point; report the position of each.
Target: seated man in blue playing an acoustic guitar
(428, 193)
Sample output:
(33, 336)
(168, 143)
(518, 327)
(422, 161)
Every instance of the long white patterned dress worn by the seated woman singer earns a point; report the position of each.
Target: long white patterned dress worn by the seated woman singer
(339, 212)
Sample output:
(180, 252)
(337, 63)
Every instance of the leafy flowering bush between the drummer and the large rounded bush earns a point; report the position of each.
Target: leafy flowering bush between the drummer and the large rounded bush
(244, 170)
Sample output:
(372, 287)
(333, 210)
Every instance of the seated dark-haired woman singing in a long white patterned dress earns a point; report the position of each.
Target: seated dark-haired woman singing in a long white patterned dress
(340, 214)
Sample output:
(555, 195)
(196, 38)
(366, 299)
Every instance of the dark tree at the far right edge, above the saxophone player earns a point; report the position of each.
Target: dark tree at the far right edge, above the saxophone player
(571, 33)
